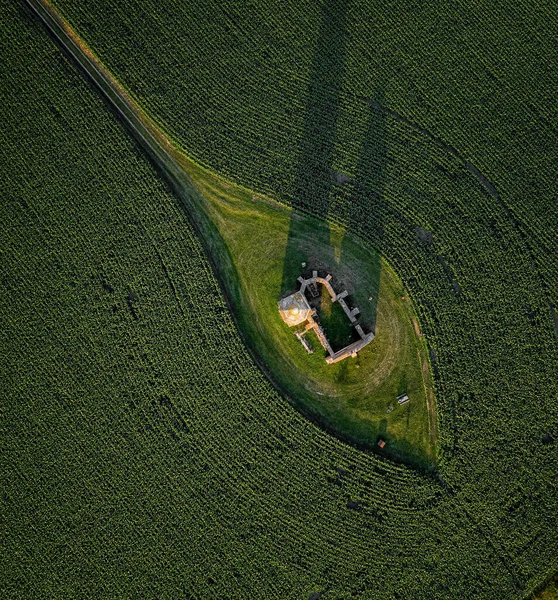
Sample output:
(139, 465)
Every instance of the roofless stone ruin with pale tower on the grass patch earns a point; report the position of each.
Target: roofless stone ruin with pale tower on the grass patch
(295, 310)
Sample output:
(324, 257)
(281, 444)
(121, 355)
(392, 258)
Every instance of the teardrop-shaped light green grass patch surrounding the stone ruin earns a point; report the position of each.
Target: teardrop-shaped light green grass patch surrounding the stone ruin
(265, 246)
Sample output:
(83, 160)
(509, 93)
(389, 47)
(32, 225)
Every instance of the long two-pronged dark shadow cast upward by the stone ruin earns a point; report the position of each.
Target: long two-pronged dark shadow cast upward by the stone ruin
(318, 189)
